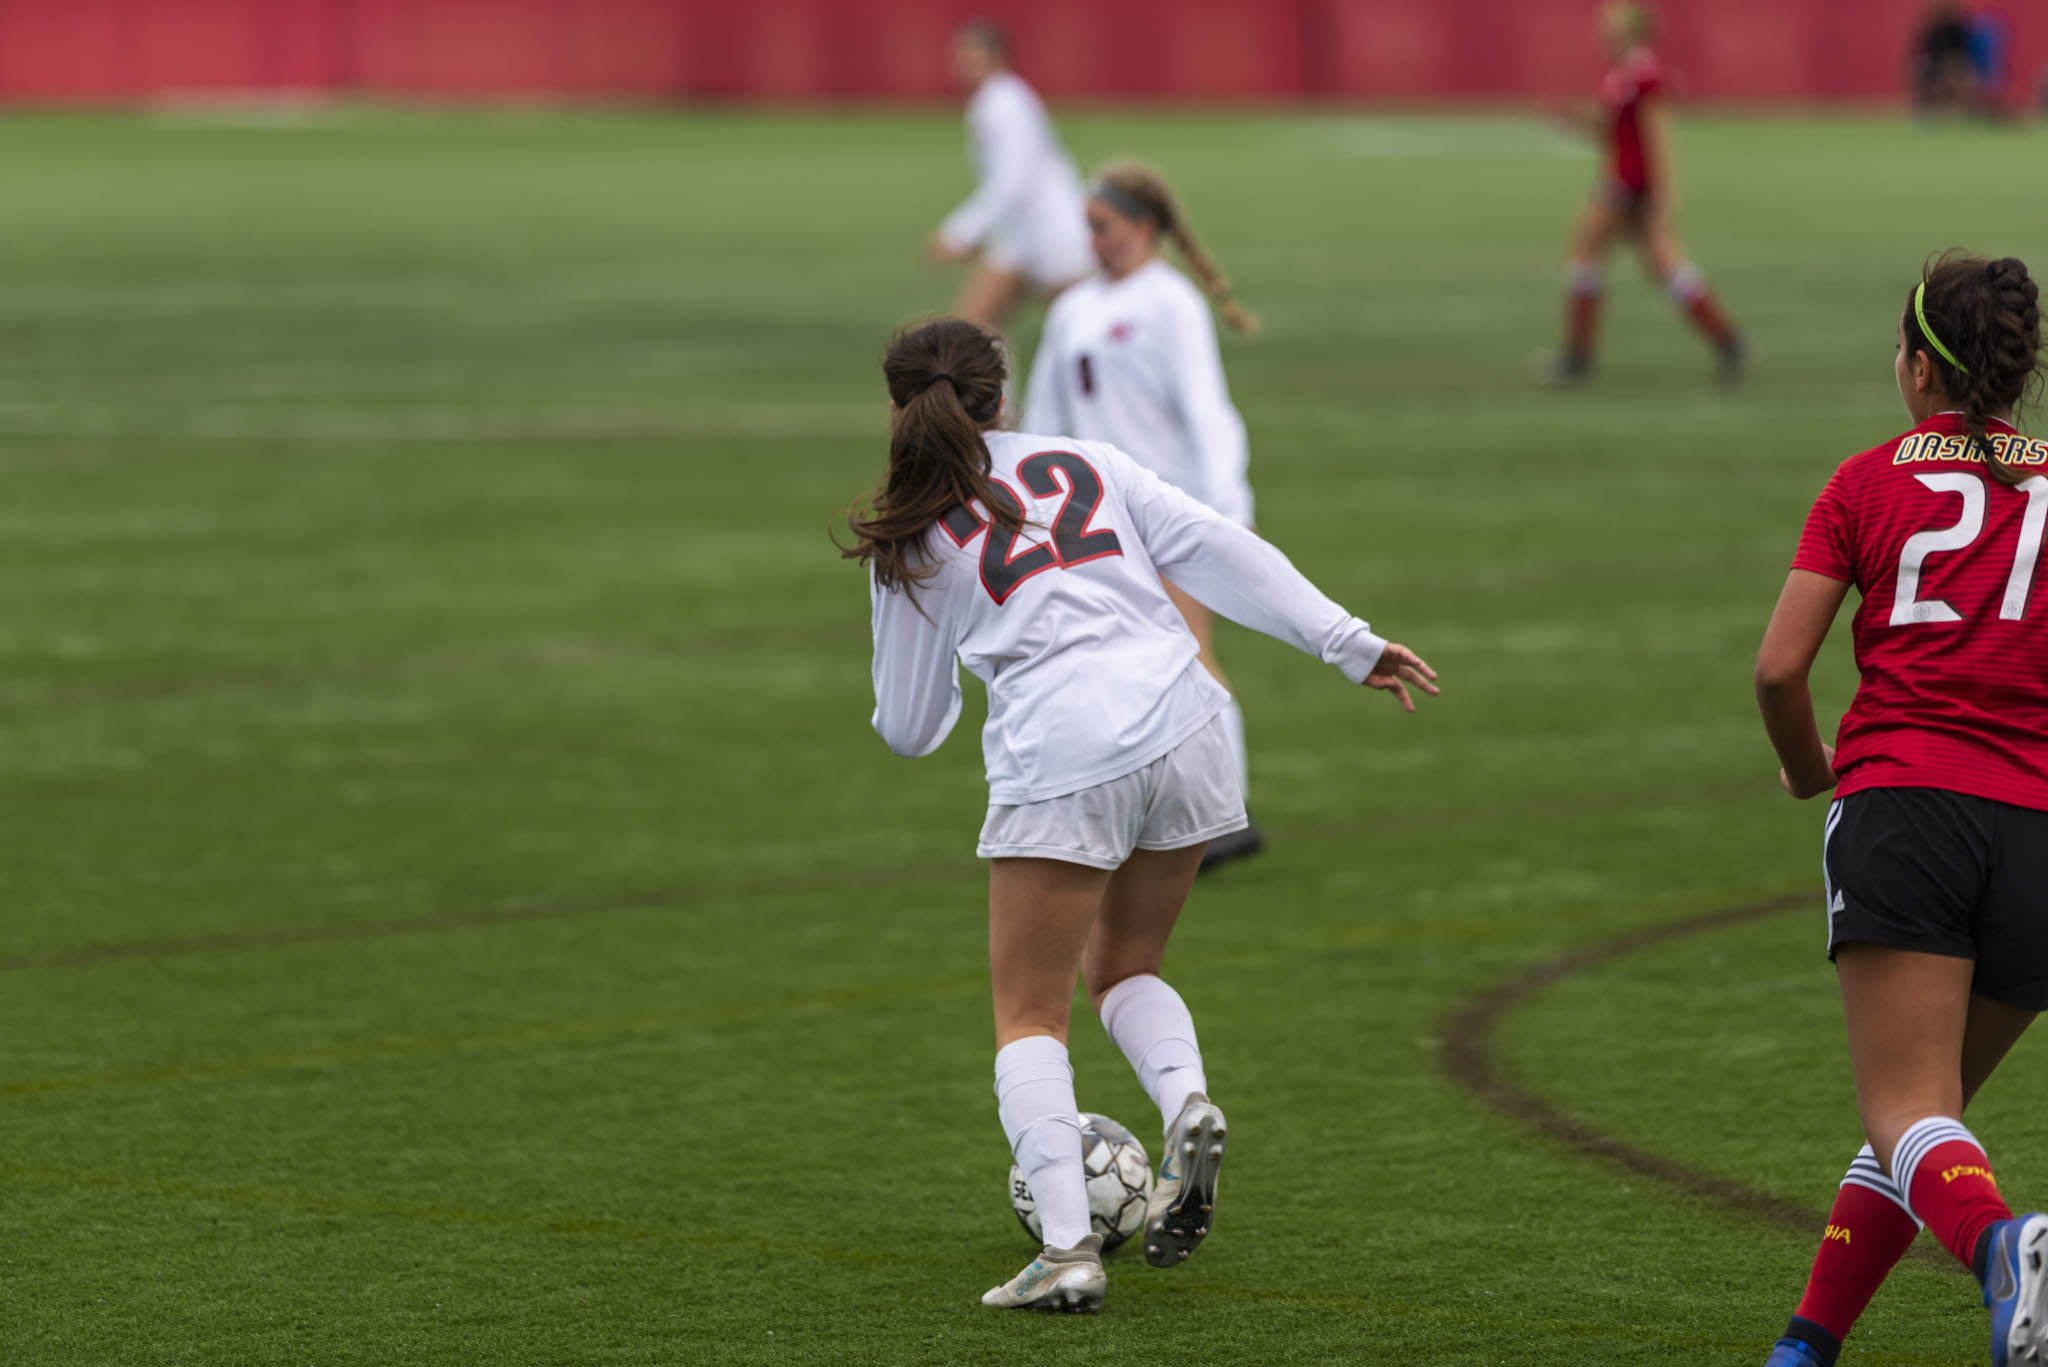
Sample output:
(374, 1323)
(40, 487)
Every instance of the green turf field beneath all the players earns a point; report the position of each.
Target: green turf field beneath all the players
(456, 909)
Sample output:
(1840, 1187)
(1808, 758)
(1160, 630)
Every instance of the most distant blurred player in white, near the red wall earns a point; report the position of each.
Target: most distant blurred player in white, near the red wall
(1025, 214)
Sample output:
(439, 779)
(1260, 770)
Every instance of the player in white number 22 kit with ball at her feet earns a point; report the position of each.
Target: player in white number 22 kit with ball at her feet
(1037, 561)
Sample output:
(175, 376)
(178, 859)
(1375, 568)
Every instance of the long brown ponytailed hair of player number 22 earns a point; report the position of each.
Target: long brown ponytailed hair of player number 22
(947, 380)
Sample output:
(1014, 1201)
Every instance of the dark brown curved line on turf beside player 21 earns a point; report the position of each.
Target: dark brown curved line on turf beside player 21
(1467, 1059)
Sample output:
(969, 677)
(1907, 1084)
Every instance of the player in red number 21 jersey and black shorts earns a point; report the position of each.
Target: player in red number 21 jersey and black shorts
(1936, 847)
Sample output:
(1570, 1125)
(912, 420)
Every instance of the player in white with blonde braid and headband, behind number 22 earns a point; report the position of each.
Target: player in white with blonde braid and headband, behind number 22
(1129, 358)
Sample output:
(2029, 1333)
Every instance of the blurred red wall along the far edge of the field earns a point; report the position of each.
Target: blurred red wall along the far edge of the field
(843, 50)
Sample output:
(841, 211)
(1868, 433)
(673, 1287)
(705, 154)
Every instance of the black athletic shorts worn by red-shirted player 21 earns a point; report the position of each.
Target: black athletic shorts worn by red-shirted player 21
(1947, 874)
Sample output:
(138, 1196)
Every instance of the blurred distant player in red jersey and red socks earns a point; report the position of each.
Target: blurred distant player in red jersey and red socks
(1633, 202)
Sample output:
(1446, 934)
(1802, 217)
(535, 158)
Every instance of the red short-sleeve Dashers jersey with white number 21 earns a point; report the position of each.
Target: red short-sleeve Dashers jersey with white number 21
(1953, 634)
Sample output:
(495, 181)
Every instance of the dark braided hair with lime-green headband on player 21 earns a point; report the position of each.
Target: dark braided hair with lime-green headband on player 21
(1988, 315)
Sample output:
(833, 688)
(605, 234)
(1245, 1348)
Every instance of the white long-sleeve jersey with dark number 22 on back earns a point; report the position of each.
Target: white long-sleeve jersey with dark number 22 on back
(1091, 669)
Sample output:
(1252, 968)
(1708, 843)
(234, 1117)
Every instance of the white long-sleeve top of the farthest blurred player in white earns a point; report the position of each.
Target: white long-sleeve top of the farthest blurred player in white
(1027, 206)
